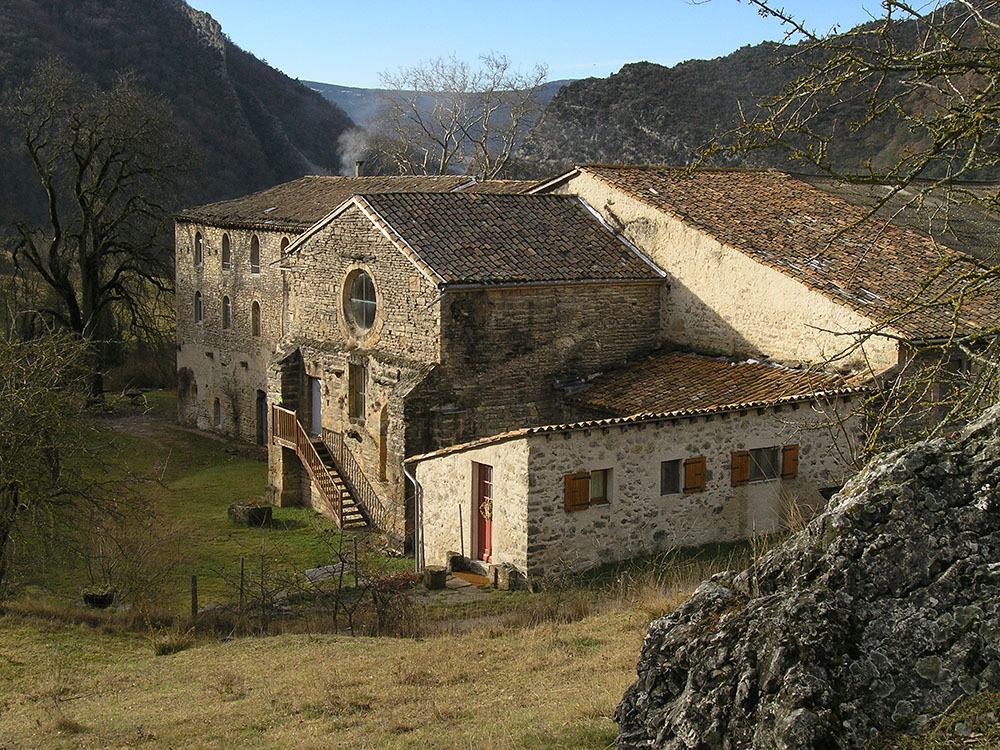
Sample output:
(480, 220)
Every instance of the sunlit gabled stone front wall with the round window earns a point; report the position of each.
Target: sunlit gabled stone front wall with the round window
(398, 350)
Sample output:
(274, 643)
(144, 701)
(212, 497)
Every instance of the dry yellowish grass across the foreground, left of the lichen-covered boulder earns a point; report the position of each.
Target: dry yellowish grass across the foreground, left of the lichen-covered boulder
(522, 688)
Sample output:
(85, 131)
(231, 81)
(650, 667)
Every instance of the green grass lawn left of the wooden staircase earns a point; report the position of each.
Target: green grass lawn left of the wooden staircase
(189, 481)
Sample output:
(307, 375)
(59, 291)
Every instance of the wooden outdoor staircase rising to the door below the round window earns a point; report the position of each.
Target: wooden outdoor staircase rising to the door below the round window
(336, 489)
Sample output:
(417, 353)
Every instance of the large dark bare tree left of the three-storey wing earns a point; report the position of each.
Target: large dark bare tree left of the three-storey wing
(107, 162)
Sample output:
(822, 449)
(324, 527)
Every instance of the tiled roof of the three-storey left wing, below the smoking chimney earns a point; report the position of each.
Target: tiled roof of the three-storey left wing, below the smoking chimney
(297, 205)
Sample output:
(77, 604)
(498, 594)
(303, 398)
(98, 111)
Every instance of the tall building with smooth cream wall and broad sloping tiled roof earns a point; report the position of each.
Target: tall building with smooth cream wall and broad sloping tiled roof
(762, 264)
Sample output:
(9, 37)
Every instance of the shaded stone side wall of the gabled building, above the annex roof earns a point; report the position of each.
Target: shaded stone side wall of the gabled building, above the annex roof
(506, 355)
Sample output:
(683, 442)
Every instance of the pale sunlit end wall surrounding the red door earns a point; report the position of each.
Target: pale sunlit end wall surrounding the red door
(449, 507)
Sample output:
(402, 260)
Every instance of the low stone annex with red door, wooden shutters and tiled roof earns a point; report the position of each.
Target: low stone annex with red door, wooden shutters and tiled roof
(712, 451)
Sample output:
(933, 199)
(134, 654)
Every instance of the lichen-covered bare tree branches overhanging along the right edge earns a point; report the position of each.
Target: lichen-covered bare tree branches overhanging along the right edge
(930, 77)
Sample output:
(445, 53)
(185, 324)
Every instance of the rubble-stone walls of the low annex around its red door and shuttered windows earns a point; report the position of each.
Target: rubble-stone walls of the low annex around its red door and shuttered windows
(533, 530)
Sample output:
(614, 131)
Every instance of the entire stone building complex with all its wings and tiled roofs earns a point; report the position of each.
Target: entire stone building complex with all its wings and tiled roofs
(464, 325)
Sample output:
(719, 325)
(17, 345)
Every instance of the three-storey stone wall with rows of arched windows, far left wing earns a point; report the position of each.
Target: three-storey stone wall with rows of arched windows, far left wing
(225, 364)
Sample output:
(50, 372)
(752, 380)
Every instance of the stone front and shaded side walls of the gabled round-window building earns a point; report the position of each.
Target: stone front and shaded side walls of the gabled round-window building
(441, 368)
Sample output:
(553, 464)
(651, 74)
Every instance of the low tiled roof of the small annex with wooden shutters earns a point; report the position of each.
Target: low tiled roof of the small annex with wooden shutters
(678, 381)
